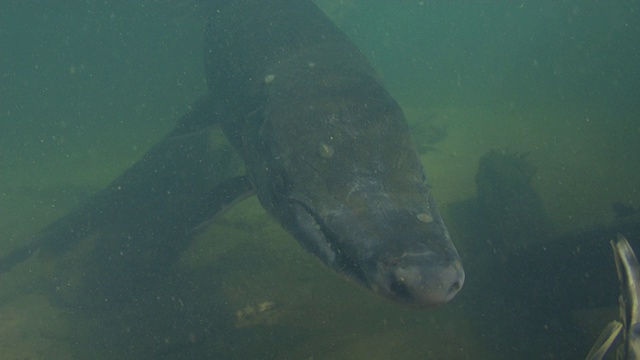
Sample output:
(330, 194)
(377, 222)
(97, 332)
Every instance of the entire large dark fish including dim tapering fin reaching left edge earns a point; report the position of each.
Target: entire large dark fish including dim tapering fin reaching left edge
(325, 147)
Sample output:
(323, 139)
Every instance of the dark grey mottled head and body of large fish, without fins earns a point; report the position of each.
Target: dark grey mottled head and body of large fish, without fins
(328, 149)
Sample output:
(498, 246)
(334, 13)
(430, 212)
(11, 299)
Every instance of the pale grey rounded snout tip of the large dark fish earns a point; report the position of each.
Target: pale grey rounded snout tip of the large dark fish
(417, 281)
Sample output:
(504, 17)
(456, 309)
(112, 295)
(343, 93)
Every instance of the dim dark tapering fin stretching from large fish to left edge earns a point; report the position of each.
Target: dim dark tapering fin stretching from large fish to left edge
(149, 206)
